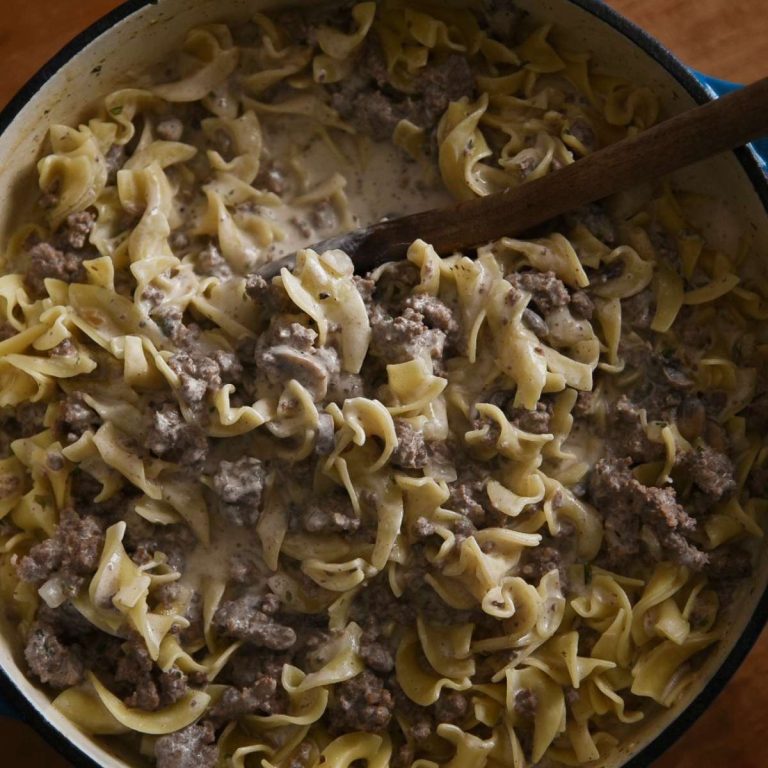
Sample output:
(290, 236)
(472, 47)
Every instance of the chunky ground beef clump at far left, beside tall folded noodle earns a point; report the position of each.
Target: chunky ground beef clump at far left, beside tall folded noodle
(72, 552)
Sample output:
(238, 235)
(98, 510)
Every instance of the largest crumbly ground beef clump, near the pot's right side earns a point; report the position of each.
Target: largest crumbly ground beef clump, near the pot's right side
(627, 504)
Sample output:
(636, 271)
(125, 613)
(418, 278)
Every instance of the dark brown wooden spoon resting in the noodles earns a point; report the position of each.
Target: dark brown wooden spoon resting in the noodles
(717, 126)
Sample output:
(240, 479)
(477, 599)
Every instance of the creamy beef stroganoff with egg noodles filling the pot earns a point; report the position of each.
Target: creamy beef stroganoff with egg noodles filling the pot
(468, 510)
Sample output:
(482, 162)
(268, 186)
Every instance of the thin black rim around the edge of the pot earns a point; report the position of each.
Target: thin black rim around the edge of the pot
(700, 94)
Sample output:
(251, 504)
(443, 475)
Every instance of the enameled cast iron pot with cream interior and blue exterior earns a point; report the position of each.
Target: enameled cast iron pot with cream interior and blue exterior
(140, 32)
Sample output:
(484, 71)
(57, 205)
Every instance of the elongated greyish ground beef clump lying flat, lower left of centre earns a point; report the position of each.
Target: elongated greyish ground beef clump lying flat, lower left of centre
(249, 618)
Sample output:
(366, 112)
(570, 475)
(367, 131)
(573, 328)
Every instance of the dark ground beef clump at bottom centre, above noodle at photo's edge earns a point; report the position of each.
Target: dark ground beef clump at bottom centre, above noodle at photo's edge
(361, 704)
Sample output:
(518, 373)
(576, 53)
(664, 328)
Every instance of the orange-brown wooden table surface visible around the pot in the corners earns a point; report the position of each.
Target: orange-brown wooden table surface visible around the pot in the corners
(725, 38)
